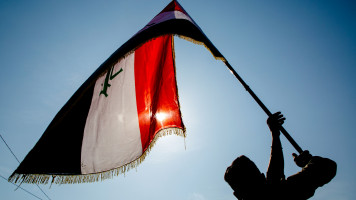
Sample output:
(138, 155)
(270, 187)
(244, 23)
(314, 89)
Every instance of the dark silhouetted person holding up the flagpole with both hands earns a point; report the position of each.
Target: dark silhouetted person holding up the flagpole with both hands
(249, 183)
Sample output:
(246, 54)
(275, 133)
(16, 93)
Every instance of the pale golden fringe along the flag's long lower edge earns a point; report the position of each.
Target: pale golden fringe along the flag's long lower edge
(89, 178)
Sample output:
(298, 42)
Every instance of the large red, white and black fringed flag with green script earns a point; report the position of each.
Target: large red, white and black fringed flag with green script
(112, 120)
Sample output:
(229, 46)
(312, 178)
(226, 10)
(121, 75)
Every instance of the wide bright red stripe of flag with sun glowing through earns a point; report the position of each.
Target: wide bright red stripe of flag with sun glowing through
(156, 91)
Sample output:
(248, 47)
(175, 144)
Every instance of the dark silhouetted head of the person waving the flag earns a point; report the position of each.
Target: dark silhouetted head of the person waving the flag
(245, 179)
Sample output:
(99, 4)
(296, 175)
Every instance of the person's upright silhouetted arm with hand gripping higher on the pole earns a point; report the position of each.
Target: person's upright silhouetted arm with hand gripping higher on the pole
(275, 171)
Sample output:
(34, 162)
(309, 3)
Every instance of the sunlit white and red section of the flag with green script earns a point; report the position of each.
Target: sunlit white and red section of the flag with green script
(135, 100)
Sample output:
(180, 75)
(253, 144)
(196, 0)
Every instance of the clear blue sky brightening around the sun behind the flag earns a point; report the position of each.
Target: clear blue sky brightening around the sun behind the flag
(297, 56)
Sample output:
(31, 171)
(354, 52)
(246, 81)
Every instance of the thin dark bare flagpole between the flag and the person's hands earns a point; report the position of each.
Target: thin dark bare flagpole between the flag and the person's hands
(264, 108)
